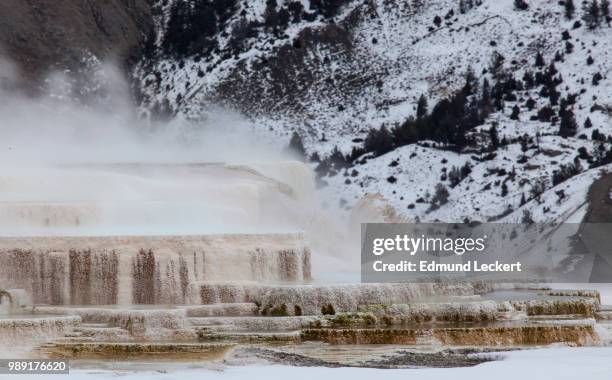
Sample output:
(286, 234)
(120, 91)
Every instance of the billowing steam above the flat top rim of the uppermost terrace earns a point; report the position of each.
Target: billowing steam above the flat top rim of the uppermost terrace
(102, 125)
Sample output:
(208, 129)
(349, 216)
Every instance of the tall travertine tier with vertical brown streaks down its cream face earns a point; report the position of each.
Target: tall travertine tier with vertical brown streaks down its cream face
(145, 270)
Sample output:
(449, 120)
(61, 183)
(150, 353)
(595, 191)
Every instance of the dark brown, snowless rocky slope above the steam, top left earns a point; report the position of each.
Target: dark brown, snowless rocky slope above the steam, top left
(46, 35)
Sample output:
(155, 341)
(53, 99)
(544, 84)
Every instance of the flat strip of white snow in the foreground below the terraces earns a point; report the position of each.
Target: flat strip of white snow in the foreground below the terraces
(551, 363)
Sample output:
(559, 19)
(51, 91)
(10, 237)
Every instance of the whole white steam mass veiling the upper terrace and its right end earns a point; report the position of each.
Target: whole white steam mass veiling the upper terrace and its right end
(78, 160)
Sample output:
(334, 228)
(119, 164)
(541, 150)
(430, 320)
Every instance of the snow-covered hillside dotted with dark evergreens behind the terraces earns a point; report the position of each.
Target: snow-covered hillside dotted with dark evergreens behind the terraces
(334, 70)
